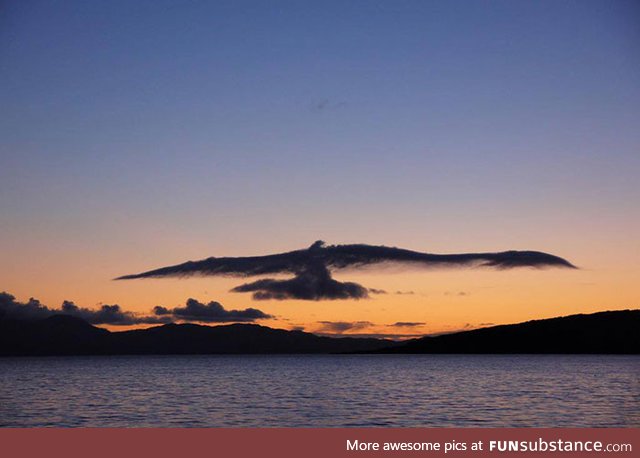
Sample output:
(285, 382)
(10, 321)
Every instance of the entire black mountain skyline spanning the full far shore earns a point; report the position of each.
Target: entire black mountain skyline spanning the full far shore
(616, 332)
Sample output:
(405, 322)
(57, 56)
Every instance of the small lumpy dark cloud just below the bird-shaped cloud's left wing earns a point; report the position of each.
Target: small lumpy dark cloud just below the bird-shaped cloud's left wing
(211, 312)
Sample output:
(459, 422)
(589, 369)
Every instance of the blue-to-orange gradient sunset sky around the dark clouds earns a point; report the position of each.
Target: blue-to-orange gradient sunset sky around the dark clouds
(135, 135)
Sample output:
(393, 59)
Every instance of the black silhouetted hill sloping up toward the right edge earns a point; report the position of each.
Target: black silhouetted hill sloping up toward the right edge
(616, 332)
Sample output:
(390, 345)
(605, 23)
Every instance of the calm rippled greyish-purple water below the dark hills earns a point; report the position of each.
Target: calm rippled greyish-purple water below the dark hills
(266, 391)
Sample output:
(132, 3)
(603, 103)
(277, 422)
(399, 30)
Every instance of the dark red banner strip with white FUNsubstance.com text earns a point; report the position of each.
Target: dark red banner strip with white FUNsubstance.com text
(285, 442)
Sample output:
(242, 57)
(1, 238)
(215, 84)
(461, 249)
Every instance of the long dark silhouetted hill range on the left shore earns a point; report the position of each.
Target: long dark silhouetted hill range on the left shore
(66, 335)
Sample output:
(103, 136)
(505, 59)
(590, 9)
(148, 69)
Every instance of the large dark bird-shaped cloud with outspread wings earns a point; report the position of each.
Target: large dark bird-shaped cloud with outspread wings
(312, 268)
